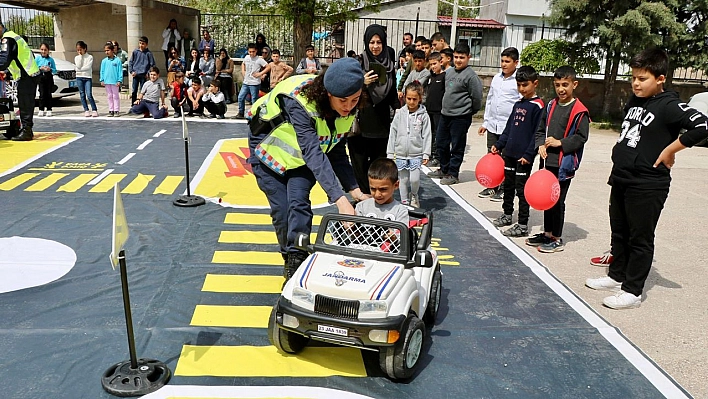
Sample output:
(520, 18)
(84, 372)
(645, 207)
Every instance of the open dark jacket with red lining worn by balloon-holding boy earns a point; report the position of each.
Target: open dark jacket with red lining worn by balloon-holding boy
(567, 157)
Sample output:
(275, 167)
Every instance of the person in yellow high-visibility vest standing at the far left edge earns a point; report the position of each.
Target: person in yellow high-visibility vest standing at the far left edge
(16, 57)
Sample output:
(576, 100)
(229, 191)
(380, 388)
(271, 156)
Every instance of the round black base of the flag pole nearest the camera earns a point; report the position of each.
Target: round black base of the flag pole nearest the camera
(123, 380)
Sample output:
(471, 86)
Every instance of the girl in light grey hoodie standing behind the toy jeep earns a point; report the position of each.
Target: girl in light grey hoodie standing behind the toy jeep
(409, 142)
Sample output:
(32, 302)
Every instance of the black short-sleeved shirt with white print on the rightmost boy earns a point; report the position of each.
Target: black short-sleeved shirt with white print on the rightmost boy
(651, 124)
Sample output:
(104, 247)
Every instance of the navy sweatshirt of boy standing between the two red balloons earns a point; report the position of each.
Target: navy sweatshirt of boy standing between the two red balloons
(518, 138)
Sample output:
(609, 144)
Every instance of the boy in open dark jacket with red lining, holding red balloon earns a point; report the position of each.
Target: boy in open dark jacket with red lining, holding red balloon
(561, 136)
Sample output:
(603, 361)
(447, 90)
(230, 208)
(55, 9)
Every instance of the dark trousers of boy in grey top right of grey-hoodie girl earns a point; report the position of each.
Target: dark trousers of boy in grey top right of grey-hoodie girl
(451, 142)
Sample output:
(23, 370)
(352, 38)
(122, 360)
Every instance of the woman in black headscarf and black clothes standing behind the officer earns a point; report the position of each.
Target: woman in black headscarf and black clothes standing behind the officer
(375, 119)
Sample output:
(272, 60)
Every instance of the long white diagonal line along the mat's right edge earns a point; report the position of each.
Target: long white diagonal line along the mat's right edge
(654, 374)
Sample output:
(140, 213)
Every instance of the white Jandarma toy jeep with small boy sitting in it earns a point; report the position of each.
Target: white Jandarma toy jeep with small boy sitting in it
(368, 283)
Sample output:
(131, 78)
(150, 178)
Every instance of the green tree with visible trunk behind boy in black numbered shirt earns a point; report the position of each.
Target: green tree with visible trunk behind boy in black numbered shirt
(619, 29)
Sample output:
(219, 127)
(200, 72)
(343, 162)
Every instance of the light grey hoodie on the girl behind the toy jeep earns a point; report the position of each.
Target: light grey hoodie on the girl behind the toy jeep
(410, 134)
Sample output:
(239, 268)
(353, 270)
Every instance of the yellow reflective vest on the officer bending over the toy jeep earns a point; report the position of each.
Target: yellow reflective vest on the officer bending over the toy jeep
(279, 150)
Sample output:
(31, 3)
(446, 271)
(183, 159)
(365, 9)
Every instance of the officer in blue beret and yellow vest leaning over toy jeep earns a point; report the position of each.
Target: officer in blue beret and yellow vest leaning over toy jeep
(297, 139)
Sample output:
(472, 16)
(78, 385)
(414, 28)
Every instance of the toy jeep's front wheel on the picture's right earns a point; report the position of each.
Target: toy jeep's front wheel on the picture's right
(400, 361)
